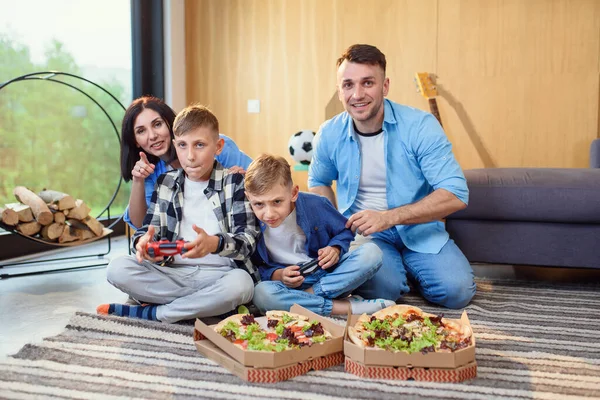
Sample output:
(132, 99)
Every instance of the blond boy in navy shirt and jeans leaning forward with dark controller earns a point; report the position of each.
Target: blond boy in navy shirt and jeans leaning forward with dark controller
(298, 227)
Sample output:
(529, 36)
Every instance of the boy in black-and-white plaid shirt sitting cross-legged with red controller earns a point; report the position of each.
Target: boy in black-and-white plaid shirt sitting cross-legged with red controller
(211, 214)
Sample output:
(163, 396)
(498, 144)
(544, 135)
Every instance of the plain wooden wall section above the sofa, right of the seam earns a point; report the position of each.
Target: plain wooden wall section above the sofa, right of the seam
(519, 81)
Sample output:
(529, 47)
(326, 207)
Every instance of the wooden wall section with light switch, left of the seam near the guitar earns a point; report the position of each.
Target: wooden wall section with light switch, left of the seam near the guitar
(284, 52)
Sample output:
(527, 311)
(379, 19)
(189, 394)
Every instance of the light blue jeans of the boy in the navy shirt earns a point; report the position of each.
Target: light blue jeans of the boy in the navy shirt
(353, 270)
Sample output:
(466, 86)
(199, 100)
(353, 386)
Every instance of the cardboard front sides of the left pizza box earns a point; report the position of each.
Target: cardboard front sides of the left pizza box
(266, 375)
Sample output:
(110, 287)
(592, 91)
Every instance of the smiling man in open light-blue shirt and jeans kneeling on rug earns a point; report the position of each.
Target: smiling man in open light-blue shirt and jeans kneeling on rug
(396, 178)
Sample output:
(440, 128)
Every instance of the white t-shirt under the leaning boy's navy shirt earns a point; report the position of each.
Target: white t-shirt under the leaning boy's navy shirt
(286, 243)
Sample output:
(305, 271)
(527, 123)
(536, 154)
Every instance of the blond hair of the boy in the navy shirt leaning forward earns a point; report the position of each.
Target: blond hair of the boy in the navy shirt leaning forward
(265, 172)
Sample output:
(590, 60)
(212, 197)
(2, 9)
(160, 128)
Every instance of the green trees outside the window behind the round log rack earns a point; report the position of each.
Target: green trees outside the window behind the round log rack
(54, 137)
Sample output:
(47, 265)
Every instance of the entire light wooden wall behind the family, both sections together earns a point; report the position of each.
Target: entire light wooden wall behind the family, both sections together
(518, 79)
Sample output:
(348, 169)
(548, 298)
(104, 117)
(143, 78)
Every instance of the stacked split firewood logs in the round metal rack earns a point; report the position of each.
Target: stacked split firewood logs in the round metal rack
(51, 216)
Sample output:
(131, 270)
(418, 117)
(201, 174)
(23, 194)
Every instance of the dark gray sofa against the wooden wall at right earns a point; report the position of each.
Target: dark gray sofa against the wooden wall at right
(532, 216)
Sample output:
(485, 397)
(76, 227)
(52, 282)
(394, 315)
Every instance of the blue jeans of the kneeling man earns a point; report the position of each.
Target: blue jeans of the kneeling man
(445, 278)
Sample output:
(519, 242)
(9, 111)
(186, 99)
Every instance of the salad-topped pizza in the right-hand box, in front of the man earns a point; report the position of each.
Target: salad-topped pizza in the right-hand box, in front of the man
(409, 329)
